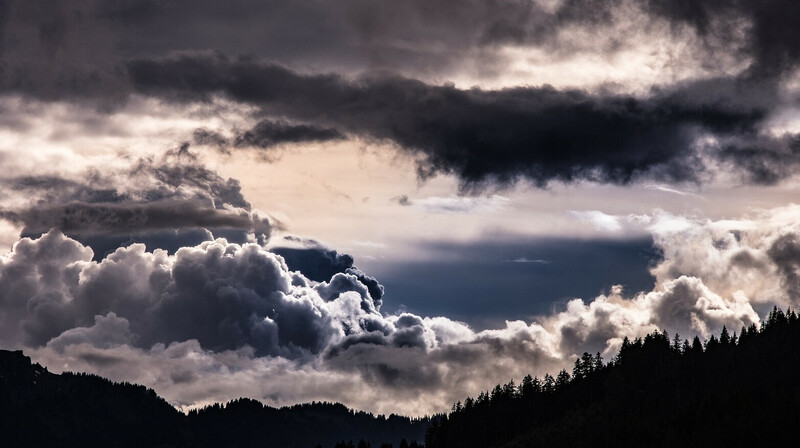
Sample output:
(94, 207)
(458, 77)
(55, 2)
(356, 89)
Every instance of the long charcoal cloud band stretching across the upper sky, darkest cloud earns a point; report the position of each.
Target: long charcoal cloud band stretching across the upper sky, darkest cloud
(541, 134)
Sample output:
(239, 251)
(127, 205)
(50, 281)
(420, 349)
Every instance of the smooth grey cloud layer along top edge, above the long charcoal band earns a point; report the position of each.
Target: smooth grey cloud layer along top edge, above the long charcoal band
(88, 38)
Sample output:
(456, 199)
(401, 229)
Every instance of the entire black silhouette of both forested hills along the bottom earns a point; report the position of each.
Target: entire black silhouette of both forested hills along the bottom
(734, 389)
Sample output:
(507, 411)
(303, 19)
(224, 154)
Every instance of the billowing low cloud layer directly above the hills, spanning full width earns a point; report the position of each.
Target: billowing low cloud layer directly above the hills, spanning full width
(220, 320)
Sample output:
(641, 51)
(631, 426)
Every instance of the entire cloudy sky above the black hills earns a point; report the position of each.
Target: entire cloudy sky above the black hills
(389, 204)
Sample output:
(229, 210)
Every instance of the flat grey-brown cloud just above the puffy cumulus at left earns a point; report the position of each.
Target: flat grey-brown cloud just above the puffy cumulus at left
(166, 202)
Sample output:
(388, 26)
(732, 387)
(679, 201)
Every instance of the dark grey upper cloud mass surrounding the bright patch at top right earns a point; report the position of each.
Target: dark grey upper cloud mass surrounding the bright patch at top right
(108, 50)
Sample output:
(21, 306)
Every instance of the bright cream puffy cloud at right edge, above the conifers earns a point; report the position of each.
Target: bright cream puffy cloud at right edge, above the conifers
(753, 256)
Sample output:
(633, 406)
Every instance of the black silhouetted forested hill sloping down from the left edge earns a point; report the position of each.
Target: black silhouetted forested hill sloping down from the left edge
(39, 408)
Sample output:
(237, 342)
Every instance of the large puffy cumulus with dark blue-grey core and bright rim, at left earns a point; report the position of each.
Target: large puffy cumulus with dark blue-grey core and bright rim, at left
(223, 295)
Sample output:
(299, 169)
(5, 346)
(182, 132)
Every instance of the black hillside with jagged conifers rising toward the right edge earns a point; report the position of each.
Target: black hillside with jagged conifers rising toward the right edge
(732, 390)
